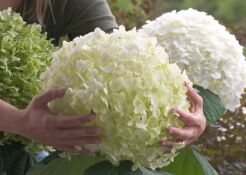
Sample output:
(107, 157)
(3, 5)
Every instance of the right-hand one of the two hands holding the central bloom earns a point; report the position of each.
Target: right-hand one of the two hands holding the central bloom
(195, 121)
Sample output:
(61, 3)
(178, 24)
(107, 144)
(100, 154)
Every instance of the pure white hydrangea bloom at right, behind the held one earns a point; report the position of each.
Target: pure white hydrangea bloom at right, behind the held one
(211, 56)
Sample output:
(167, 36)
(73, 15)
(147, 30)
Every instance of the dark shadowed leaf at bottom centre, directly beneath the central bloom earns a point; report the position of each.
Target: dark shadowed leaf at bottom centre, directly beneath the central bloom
(106, 168)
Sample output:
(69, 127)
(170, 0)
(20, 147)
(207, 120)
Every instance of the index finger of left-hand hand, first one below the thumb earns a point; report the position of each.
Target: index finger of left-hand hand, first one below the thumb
(70, 122)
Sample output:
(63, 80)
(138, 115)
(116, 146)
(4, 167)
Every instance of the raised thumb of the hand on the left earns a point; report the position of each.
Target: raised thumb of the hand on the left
(45, 97)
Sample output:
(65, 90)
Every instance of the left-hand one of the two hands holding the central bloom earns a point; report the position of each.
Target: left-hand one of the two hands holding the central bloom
(61, 132)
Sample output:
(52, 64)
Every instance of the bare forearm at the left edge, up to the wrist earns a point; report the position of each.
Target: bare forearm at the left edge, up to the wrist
(9, 117)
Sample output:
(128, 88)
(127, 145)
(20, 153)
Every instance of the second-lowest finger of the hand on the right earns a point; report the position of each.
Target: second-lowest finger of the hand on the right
(183, 134)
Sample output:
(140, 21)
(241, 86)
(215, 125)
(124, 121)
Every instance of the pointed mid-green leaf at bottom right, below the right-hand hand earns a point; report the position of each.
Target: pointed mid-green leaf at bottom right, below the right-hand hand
(190, 162)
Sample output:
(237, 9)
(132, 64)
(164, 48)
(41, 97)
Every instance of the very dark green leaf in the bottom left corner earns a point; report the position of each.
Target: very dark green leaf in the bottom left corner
(14, 160)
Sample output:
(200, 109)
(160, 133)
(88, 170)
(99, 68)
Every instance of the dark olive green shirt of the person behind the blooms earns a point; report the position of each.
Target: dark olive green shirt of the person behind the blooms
(76, 17)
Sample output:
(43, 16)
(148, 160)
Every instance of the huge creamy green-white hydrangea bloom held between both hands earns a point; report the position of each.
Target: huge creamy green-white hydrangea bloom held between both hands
(127, 81)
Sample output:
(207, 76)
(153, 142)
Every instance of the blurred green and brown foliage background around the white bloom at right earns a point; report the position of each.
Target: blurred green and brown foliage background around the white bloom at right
(224, 143)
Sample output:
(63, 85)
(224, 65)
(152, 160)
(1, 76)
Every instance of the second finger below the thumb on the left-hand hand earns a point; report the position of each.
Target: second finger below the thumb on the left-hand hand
(80, 132)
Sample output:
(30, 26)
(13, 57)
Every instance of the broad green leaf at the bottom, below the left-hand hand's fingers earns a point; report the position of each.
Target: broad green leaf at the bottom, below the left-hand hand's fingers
(62, 166)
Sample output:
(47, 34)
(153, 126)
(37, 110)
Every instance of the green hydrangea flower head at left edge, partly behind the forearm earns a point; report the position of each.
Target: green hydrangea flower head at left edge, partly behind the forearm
(24, 54)
